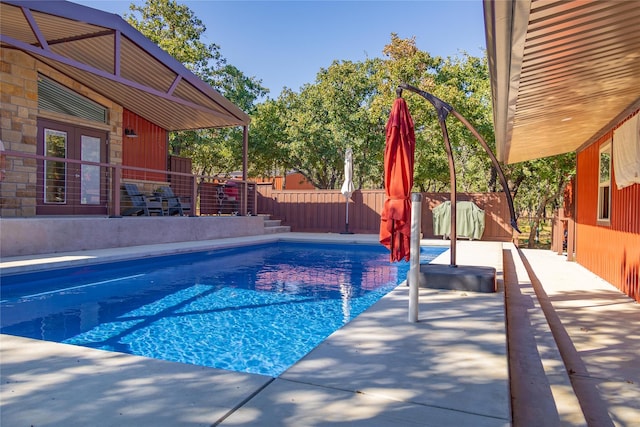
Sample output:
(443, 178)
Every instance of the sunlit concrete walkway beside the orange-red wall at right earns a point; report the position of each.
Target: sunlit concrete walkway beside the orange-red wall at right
(596, 329)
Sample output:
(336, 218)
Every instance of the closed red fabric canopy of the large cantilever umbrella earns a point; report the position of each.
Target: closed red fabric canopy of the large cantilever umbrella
(395, 224)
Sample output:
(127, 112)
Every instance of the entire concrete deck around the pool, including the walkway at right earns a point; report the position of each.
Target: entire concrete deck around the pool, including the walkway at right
(467, 362)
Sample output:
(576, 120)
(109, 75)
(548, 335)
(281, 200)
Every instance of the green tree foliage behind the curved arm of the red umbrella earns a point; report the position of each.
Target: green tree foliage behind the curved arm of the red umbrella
(463, 84)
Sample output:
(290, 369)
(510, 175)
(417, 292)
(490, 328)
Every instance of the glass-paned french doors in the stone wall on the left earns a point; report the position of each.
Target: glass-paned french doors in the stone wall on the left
(71, 188)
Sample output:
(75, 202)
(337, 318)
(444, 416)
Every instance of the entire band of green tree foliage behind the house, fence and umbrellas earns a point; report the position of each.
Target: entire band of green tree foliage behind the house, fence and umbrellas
(348, 105)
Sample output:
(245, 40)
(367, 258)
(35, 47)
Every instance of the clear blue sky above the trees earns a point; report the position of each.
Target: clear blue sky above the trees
(286, 43)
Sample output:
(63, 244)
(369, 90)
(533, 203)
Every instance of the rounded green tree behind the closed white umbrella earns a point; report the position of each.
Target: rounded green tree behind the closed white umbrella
(327, 117)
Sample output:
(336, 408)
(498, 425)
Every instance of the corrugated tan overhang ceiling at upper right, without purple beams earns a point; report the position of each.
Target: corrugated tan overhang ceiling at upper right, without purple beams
(562, 72)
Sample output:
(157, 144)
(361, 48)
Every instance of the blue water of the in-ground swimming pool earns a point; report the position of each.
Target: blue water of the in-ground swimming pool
(258, 309)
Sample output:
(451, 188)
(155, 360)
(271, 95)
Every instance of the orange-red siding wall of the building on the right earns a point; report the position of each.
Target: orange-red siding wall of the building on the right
(610, 251)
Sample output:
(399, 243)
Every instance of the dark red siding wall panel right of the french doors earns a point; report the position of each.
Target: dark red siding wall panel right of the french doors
(149, 150)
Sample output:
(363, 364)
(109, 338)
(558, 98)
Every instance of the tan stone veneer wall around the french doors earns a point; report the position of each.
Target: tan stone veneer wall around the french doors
(19, 126)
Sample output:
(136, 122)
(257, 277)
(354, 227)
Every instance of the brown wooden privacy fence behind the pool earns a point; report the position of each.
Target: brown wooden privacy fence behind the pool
(323, 211)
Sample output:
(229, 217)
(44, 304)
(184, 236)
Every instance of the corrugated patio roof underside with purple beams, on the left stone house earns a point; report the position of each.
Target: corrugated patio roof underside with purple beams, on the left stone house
(103, 52)
